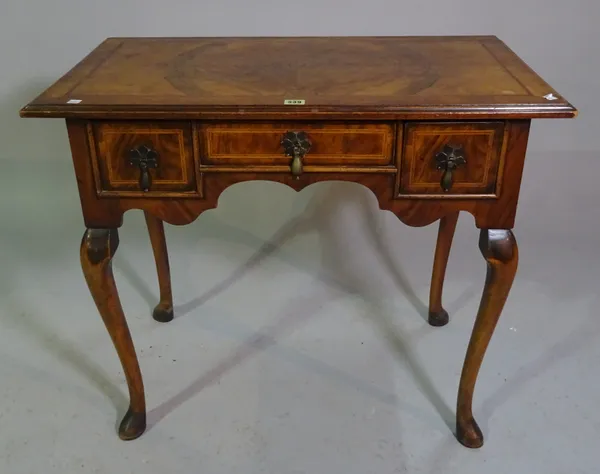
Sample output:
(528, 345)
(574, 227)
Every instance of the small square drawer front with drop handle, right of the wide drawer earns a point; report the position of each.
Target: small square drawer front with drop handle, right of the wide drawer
(452, 159)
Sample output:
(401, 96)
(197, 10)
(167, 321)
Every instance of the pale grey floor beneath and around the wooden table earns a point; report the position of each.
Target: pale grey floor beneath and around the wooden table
(299, 344)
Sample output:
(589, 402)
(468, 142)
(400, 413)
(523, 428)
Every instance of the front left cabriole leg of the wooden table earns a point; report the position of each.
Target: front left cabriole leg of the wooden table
(98, 247)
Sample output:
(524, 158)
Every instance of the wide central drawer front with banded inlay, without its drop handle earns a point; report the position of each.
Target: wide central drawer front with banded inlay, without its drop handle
(330, 143)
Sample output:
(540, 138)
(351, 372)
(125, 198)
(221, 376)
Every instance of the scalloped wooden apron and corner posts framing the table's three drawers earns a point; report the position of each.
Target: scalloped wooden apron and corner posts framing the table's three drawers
(101, 212)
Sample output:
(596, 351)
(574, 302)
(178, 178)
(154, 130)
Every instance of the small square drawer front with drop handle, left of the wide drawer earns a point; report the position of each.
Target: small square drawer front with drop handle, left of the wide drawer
(144, 158)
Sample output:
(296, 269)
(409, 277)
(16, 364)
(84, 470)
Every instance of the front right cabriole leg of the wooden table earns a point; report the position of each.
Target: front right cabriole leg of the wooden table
(499, 248)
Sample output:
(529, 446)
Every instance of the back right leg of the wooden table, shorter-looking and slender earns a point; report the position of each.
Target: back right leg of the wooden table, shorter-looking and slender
(438, 316)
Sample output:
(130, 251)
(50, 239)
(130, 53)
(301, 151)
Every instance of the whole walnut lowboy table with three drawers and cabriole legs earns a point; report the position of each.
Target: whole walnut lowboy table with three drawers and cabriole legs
(432, 125)
